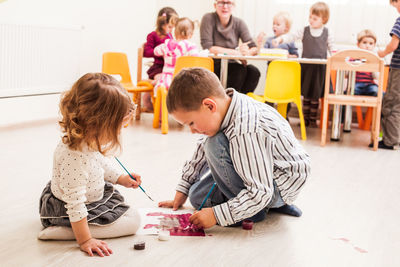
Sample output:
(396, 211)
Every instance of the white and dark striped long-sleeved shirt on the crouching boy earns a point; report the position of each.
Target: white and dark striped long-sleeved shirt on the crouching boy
(263, 149)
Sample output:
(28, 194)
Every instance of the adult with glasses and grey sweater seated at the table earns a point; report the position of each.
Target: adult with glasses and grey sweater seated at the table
(220, 33)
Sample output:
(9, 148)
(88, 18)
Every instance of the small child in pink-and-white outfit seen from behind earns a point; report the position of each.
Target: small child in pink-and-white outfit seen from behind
(172, 49)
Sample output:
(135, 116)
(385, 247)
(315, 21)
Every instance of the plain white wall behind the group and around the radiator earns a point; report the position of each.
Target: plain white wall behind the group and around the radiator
(122, 25)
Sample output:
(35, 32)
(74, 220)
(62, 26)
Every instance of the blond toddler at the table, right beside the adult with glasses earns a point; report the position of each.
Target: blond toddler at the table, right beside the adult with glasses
(281, 25)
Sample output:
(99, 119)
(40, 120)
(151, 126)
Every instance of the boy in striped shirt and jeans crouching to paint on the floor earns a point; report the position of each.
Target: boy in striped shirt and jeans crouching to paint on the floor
(250, 149)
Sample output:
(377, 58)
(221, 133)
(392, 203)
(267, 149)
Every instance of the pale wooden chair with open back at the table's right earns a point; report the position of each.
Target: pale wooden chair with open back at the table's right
(354, 60)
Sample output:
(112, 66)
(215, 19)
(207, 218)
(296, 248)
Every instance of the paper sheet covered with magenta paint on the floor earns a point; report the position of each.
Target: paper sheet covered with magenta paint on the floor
(177, 224)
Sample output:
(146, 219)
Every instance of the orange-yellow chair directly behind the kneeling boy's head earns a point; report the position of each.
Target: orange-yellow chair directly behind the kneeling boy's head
(161, 98)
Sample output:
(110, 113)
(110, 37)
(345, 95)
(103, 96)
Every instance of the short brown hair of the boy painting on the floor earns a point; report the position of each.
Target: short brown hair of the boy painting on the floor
(190, 87)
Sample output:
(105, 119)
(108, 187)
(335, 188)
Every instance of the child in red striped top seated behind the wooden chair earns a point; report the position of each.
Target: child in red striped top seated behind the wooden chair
(366, 81)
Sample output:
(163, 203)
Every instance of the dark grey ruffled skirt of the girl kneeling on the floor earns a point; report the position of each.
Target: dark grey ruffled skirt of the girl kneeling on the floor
(105, 211)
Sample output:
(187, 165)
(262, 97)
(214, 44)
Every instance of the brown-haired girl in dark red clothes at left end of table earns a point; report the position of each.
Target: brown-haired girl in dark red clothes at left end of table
(166, 20)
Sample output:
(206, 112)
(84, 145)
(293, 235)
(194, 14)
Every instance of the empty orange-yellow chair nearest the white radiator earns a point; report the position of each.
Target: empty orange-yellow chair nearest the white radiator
(117, 63)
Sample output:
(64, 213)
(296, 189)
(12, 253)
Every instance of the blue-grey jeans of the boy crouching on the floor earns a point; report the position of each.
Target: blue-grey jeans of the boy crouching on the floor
(229, 183)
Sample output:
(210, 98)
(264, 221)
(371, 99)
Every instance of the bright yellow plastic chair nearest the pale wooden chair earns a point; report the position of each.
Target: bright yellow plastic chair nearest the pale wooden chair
(282, 86)
